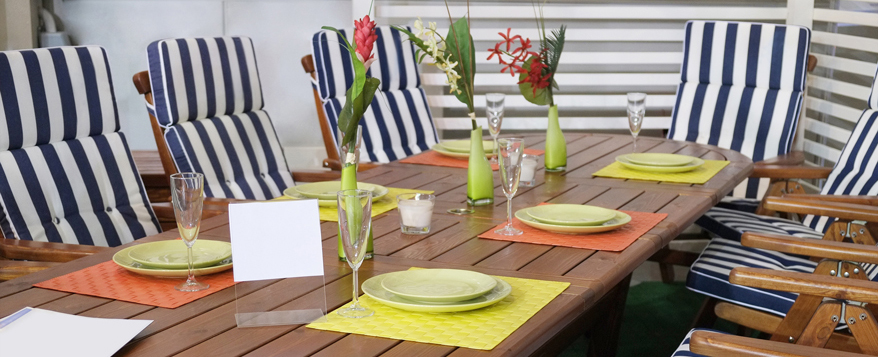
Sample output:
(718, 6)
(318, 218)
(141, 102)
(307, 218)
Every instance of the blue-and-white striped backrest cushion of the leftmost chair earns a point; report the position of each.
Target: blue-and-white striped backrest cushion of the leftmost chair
(66, 173)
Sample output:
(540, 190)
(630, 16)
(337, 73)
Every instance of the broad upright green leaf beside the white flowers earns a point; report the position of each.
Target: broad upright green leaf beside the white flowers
(459, 48)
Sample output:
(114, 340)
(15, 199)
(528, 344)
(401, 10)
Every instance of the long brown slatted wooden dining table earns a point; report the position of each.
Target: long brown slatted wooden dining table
(592, 304)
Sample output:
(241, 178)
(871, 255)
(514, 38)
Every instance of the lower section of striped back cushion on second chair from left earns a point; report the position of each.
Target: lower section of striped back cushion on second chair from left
(239, 155)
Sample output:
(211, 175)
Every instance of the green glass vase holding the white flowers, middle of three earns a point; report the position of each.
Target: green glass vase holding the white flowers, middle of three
(479, 176)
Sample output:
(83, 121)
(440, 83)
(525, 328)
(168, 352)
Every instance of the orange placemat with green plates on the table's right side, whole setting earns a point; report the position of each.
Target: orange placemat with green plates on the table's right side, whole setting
(576, 226)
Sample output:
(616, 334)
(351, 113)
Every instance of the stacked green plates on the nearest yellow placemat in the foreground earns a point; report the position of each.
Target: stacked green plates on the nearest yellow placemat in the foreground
(437, 290)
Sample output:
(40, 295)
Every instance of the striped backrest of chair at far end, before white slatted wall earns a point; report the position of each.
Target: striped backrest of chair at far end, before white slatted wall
(741, 88)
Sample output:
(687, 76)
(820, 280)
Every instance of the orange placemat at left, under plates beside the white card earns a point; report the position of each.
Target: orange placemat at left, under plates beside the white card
(108, 280)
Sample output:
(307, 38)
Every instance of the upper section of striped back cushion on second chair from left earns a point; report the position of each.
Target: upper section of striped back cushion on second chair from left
(199, 78)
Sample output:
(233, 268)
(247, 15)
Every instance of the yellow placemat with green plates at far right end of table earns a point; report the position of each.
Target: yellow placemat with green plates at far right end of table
(662, 167)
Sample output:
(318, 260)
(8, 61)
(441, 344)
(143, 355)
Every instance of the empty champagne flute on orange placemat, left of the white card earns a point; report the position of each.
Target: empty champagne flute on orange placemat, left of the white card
(187, 194)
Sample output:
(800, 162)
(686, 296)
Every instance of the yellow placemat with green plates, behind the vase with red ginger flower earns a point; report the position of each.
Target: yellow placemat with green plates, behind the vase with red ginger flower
(383, 198)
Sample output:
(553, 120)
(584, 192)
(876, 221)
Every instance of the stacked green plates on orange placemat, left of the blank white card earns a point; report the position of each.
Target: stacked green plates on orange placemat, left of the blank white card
(169, 258)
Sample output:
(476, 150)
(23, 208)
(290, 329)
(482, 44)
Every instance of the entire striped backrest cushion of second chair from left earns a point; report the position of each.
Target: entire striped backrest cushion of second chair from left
(208, 98)
